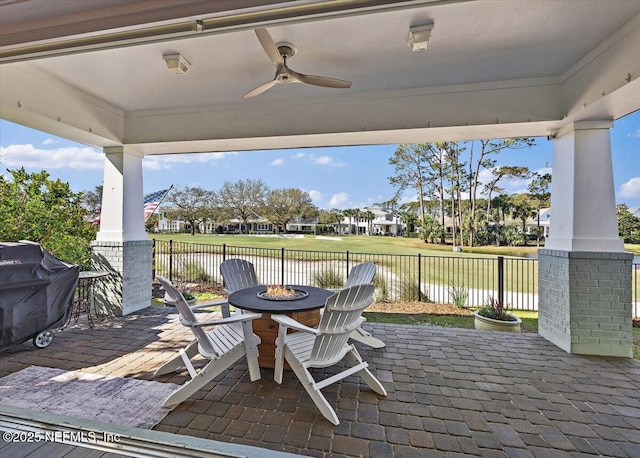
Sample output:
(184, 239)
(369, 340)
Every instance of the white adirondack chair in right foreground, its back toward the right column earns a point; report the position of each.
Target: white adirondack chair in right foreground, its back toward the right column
(326, 345)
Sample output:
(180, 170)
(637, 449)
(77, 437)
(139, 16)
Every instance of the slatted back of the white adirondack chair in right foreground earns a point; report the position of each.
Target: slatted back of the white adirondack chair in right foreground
(342, 314)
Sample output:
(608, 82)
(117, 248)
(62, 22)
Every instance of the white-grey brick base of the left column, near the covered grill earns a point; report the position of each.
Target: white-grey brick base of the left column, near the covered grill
(128, 288)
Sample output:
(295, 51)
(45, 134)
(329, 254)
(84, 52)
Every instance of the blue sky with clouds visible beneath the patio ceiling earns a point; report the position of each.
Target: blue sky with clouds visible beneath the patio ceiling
(337, 177)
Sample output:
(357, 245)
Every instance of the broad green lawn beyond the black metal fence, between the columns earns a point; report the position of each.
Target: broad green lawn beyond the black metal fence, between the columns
(397, 254)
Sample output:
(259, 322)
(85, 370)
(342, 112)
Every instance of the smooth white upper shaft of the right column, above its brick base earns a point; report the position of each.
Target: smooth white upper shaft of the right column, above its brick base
(583, 207)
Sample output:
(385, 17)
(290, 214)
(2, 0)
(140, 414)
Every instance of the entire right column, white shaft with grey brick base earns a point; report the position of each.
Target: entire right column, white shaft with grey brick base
(584, 275)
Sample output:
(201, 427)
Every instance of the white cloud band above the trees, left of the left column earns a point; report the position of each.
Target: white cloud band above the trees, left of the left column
(73, 157)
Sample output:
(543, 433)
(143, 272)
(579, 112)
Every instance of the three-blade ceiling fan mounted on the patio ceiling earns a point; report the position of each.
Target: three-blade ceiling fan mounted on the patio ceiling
(279, 53)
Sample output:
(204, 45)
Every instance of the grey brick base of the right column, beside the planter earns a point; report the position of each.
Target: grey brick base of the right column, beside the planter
(585, 301)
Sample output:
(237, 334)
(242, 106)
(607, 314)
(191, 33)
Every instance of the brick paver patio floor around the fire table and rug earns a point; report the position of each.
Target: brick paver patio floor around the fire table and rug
(451, 392)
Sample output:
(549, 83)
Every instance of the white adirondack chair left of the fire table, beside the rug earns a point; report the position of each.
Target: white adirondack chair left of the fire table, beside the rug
(228, 340)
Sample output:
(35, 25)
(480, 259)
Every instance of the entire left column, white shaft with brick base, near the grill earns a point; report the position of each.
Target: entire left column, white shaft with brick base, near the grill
(122, 246)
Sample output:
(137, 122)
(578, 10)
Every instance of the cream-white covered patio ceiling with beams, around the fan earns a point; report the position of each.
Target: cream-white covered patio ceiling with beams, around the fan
(93, 71)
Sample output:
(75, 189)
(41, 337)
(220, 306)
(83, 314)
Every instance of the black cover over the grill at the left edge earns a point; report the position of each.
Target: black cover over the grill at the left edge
(36, 291)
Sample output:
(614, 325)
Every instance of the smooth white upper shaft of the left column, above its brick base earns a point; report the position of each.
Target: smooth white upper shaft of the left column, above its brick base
(122, 217)
